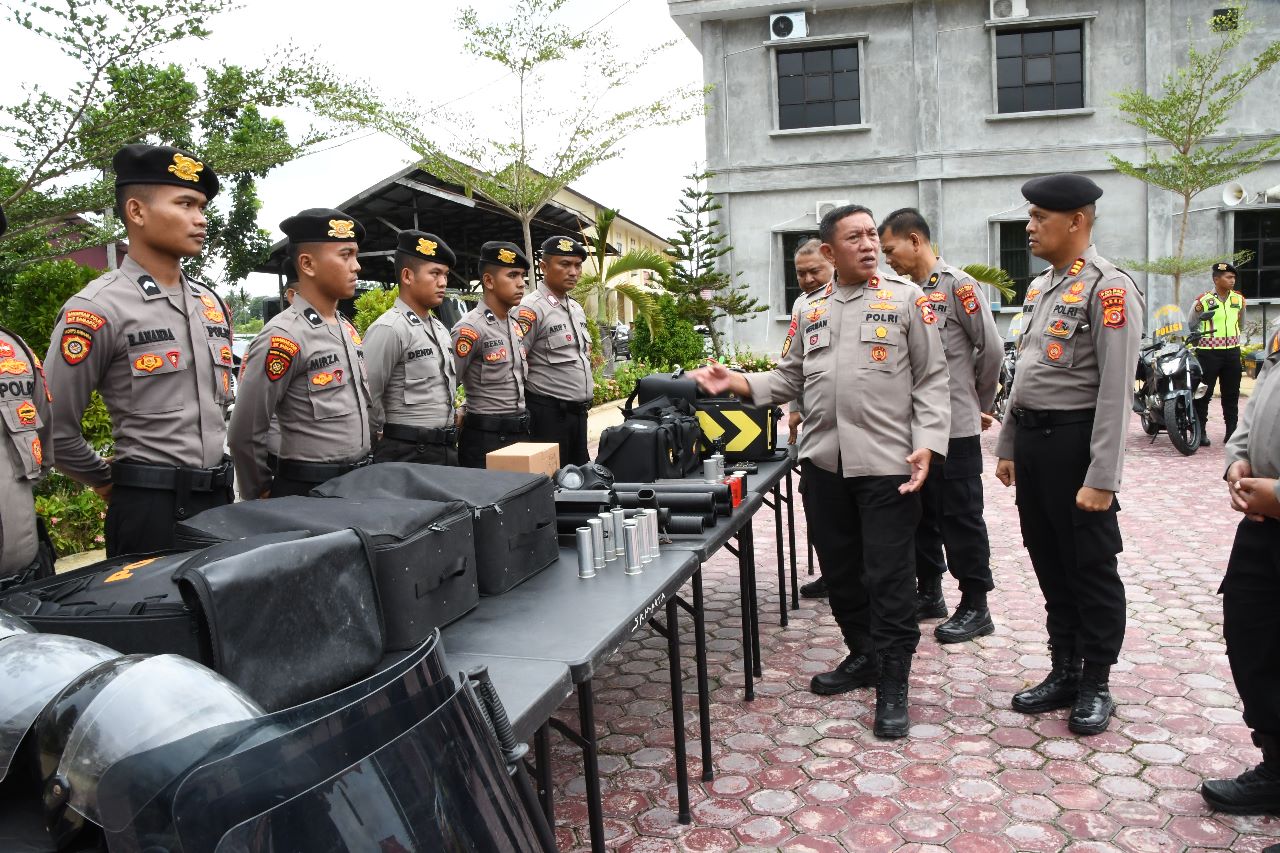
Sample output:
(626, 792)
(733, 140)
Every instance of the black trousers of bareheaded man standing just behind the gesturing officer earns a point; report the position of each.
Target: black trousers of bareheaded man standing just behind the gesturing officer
(952, 519)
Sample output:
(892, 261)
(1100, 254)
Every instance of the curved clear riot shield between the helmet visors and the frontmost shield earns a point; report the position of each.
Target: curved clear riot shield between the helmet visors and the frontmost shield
(186, 795)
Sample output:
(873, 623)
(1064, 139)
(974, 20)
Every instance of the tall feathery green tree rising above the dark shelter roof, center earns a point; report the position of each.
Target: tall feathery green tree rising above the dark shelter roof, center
(579, 129)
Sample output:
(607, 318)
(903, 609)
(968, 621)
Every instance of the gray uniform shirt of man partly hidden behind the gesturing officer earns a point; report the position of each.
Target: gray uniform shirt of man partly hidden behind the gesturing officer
(972, 341)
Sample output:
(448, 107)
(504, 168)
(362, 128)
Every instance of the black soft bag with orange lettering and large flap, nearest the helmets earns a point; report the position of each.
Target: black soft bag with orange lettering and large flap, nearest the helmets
(286, 618)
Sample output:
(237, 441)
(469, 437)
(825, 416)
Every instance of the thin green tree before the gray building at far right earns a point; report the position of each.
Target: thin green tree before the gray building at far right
(1197, 101)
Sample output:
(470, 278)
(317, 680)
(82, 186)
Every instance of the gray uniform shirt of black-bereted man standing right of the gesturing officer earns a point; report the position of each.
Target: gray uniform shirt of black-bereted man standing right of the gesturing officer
(1082, 327)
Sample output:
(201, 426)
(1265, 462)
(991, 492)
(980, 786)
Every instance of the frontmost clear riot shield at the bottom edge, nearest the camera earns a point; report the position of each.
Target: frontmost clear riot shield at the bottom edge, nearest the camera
(441, 786)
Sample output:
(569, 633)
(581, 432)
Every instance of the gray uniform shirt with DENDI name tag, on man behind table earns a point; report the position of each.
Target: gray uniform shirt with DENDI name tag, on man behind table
(413, 380)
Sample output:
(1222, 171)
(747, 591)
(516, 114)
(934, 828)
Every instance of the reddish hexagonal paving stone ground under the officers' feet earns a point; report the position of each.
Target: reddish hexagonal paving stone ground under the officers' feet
(796, 772)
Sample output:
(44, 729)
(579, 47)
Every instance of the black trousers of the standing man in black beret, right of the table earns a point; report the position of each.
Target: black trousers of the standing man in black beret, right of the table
(1073, 551)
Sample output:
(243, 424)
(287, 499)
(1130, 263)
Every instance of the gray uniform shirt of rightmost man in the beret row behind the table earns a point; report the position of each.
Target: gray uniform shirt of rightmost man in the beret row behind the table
(557, 346)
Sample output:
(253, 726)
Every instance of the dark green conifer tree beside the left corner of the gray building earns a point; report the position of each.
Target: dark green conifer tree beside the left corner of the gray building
(706, 293)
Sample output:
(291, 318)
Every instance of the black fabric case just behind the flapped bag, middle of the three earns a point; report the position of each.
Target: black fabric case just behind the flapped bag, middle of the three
(424, 551)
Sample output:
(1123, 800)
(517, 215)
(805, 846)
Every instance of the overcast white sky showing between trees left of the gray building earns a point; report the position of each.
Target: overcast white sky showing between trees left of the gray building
(414, 51)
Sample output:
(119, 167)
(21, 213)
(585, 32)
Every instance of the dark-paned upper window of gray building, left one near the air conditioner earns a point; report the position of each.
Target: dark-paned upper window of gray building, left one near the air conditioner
(819, 88)
